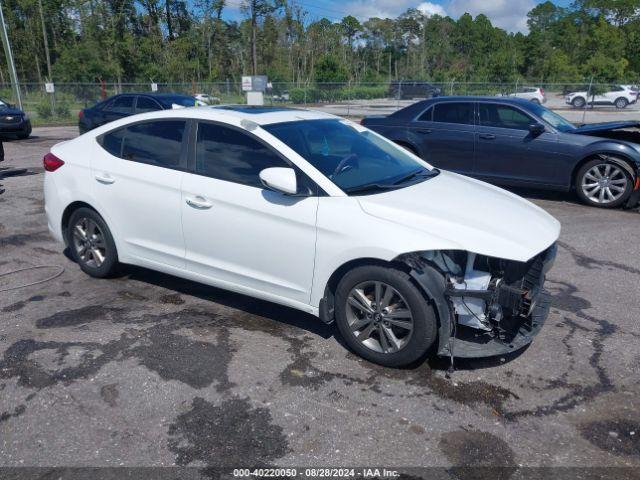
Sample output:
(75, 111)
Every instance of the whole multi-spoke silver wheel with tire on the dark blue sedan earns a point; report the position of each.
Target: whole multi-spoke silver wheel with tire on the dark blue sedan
(603, 184)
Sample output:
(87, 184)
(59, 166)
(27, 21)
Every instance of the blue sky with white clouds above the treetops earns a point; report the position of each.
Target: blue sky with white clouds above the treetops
(510, 15)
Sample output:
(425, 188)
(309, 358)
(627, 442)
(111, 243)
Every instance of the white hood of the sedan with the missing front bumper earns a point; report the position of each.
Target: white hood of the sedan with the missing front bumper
(469, 214)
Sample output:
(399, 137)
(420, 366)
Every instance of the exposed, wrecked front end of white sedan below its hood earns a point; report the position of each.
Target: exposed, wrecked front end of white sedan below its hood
(486, 306)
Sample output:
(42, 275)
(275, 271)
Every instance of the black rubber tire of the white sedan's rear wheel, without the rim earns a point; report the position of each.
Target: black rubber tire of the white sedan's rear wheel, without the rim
(108, 267)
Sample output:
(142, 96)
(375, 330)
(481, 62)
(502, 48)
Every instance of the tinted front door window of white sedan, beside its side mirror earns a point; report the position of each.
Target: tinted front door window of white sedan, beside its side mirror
(228, 154)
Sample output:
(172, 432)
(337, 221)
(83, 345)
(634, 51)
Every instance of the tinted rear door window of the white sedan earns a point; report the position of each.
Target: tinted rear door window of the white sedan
(157, 142)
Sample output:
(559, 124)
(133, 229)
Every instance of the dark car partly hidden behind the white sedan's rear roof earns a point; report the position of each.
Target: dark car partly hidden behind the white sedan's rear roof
(126, 104)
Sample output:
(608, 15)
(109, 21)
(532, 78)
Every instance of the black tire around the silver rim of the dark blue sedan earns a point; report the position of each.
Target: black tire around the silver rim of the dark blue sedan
(591, 199)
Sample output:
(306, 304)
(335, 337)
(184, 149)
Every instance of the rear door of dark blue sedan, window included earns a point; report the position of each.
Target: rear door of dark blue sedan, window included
(446, 130)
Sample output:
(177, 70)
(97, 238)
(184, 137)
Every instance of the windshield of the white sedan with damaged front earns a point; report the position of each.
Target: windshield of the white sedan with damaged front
(354, 158)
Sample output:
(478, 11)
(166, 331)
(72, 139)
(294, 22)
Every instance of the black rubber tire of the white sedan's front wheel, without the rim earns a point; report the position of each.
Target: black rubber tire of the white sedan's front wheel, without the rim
(423, 318)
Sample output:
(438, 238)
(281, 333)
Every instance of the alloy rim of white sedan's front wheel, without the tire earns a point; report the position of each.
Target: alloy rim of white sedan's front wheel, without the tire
(379, 317)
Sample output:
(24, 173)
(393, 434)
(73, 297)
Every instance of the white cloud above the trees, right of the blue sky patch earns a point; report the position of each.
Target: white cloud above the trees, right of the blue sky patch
(508, 14)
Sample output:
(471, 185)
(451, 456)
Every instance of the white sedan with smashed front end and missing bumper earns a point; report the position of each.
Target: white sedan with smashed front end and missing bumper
(310, 211)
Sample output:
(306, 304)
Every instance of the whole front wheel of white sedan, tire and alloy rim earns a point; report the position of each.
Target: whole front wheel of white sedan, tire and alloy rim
(383, 316)
